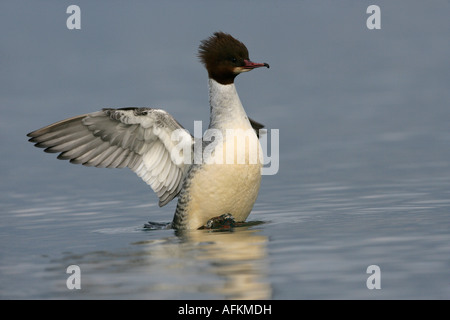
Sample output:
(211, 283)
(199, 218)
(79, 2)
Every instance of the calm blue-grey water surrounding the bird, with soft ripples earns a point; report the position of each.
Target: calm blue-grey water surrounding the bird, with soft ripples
(364, 174)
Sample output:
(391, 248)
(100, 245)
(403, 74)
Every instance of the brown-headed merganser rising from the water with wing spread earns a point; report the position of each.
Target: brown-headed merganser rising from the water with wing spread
(162, 152)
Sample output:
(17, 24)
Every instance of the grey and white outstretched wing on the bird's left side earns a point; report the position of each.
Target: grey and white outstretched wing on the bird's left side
(148, 141)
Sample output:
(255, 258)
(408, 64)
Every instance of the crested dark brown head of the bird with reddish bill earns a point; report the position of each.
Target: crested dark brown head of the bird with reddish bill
(225, 57)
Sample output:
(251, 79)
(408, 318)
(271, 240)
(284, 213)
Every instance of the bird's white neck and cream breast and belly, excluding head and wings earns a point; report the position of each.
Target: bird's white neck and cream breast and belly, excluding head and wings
(229, 179)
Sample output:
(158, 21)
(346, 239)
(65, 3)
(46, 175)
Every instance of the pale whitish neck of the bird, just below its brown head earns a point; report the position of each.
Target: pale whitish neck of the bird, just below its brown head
(227, 111)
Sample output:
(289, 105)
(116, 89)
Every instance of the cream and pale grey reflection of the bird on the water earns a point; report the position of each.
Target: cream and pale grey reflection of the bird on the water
(236, 258)
